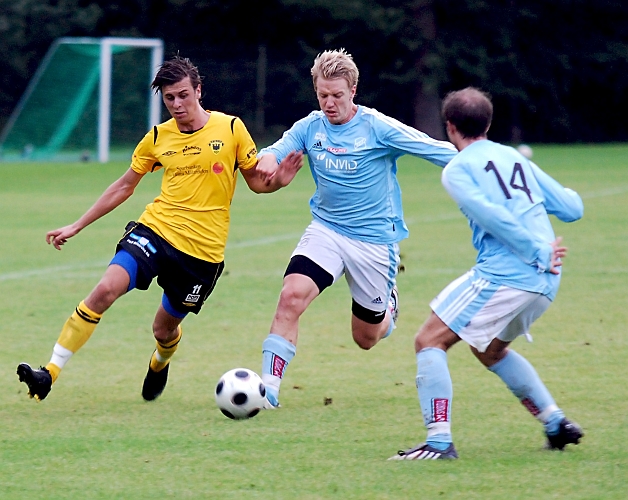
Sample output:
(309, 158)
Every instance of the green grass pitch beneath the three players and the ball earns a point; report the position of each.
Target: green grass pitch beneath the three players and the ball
(95, 438)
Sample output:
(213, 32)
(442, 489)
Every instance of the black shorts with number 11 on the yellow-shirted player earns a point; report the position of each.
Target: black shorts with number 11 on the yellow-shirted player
(186, 280)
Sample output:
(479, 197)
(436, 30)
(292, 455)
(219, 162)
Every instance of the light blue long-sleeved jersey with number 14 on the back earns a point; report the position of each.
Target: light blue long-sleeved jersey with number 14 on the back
(507, 199)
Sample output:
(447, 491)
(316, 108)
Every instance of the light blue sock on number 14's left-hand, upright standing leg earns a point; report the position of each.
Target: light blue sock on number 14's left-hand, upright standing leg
(435, 389)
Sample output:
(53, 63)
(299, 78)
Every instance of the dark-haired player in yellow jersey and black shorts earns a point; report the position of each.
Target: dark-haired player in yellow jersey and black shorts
(180, 238)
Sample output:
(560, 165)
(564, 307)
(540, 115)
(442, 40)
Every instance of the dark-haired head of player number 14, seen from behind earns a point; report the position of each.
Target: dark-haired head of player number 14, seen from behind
(470, 110)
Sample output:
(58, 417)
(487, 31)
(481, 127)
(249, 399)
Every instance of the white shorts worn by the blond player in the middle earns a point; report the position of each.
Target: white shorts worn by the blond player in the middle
(370, 269)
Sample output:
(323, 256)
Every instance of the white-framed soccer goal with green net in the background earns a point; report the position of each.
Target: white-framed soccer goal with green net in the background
(90, 99)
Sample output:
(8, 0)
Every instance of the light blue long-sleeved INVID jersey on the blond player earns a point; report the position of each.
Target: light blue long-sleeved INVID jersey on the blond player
(354, 166)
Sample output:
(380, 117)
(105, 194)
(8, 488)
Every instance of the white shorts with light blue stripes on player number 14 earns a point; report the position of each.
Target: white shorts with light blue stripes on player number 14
(478, 310)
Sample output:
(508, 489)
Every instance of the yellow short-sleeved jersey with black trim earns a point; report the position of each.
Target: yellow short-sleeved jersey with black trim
(200, 170)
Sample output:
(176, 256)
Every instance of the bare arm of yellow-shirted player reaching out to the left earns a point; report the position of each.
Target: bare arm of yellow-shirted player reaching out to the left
(118, 192)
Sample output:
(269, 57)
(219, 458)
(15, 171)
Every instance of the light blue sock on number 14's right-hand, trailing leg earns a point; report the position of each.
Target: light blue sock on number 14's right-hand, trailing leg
(524, 382)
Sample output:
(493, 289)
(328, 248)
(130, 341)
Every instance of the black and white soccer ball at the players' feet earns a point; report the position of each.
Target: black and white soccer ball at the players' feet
(240, 394)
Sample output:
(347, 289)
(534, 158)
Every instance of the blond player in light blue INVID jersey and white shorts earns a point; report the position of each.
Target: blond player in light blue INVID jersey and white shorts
(356, 209)
